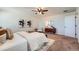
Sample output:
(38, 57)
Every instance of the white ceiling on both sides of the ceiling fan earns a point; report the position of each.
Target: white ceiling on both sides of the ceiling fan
(51, 10)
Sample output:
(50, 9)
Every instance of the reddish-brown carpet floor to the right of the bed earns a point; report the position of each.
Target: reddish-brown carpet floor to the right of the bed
(63, 43)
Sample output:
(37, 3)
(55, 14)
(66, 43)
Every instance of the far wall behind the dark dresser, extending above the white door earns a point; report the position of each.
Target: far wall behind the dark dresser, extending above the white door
(58, 21)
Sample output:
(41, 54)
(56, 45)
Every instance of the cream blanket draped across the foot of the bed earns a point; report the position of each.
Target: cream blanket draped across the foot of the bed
(35, 40)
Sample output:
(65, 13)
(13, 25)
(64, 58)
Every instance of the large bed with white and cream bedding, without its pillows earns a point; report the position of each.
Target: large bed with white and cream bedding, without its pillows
(23, 41)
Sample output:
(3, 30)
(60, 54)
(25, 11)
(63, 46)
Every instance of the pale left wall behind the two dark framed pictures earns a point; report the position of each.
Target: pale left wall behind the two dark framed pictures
(9, 17)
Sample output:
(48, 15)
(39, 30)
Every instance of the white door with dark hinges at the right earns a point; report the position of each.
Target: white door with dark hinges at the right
(70, 25)
